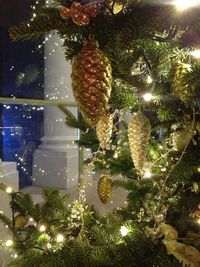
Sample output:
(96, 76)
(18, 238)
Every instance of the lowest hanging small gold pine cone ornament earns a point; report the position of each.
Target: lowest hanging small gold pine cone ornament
(104, 187)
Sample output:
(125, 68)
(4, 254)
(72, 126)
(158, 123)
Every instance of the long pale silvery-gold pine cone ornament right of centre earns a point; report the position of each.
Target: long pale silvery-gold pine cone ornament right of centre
(139, 130)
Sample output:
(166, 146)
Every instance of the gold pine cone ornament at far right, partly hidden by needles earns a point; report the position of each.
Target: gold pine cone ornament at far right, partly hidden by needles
(182, 91)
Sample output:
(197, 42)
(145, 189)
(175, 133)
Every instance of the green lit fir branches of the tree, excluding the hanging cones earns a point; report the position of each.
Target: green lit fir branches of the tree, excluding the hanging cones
(141, 42)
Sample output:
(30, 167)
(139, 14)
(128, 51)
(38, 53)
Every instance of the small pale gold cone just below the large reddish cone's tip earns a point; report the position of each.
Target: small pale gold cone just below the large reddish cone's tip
(104, 130)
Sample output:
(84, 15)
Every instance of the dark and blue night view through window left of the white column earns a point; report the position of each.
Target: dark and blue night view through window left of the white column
(21, 75)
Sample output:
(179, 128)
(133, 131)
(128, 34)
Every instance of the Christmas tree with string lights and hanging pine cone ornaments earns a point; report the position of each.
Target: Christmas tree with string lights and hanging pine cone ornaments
(136, 58)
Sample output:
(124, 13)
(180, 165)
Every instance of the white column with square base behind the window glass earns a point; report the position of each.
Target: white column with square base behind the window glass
(56, 162)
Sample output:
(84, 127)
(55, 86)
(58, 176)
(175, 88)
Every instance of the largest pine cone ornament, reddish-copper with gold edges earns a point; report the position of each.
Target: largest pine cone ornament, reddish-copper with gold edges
(92, 82)
